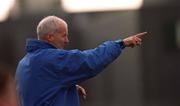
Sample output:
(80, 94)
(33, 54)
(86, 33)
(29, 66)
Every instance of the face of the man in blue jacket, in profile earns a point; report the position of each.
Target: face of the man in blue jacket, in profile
(60, 39)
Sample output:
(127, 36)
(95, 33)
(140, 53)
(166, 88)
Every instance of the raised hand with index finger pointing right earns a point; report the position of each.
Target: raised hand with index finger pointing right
(134, 40)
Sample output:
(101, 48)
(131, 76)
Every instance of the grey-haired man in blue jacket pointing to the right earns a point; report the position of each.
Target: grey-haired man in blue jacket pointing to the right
(48, 75)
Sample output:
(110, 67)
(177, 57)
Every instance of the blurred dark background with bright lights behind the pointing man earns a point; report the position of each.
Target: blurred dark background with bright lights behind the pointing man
(148, 75)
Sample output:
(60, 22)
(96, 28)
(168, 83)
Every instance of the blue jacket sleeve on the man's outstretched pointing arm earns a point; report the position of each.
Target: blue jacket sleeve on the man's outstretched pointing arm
(82, 65)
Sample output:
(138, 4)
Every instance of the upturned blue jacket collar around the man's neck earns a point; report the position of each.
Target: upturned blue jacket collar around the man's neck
(34, 44)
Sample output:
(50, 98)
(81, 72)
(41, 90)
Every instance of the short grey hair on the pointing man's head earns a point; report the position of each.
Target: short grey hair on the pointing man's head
(47, 25)
